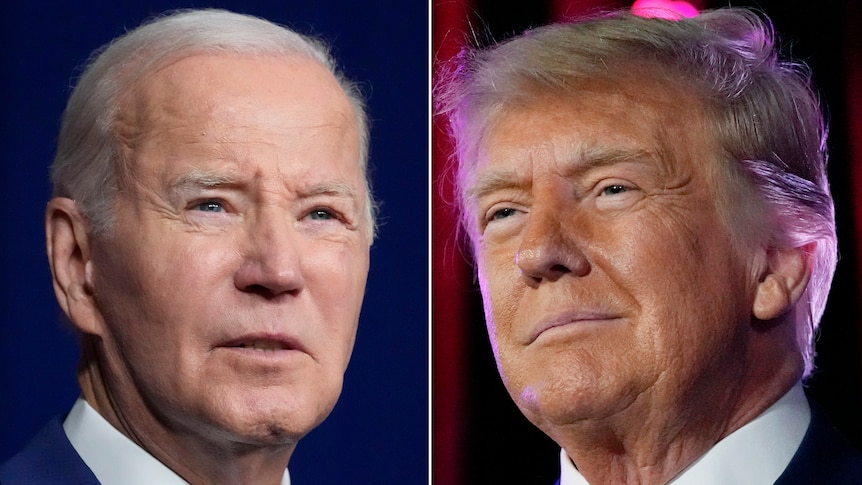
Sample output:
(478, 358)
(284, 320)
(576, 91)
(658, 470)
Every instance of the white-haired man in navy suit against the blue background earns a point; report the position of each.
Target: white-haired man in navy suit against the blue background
(209, 238)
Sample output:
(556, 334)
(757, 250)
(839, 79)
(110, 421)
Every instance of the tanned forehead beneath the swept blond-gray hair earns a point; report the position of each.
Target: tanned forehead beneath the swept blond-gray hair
(611, 120)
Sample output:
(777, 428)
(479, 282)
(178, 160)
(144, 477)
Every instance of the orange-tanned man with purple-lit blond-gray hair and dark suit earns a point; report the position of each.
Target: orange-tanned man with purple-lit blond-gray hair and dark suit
(654, 236)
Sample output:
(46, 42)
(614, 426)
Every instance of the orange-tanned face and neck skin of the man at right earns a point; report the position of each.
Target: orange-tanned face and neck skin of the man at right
(622, 398)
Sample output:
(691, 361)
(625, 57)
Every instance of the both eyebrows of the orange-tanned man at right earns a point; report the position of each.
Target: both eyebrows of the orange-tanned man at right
(578, 162)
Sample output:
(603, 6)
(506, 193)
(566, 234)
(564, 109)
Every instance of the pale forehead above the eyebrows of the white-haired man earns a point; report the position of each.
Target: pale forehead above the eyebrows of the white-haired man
(232, 98)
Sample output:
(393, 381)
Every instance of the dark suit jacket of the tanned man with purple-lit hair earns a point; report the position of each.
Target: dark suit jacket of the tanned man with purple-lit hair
(823, 458)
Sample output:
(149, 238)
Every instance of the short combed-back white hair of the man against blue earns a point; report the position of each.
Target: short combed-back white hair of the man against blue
(85, 167)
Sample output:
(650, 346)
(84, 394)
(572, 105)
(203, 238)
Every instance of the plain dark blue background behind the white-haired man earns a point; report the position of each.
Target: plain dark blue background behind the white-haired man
(378, 432)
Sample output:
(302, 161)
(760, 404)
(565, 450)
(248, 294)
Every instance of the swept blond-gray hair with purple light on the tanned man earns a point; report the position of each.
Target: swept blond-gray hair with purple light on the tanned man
(763, 110)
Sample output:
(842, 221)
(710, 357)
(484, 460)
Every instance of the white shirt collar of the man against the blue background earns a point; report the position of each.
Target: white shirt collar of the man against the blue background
(112, 456)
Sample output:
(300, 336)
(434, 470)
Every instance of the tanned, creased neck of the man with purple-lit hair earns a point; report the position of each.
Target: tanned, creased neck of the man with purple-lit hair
(652, 443)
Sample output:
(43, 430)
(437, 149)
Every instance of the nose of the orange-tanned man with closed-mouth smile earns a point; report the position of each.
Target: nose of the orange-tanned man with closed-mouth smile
(549, 248)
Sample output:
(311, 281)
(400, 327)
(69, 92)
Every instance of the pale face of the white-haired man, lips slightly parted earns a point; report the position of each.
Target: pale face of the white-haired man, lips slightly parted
(231, 285)
